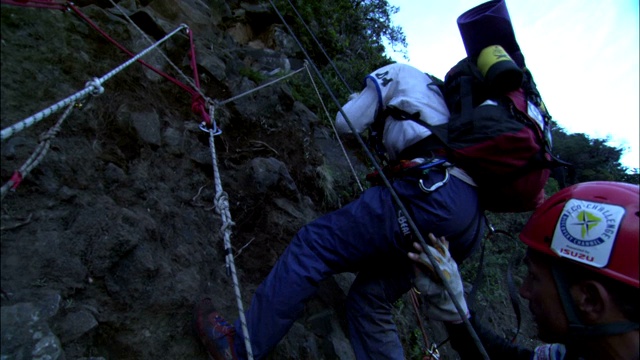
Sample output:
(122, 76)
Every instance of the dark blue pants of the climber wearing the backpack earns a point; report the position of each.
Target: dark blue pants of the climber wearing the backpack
(363, 237)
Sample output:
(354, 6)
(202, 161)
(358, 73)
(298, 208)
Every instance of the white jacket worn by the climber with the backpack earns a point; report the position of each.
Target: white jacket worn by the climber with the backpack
(401, 86)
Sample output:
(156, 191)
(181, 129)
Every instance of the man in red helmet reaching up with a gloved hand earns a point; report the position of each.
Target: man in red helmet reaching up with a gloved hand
(582, 280)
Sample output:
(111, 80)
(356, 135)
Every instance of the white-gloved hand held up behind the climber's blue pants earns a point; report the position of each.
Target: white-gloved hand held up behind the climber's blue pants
(441, 306)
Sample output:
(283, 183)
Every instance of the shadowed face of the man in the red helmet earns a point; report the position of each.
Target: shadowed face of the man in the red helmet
(539, 288)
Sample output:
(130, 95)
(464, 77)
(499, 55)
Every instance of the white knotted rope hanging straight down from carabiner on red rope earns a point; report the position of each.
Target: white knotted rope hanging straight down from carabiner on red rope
(222, 207)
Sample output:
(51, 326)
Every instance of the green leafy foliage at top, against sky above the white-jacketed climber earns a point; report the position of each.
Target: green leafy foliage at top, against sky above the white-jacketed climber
(352, 34)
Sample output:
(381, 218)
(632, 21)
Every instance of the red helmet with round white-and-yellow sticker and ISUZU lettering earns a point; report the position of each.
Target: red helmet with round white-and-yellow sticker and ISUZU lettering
(595, 224)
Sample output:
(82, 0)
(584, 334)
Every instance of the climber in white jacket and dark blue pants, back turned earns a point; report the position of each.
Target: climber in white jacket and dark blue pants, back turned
(368, 236)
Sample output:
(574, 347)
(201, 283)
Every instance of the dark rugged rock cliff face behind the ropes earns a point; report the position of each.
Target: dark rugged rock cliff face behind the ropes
(112, 238)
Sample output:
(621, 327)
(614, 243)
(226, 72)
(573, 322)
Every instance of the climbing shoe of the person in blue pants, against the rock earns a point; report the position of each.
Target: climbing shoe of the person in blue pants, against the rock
(214, 332)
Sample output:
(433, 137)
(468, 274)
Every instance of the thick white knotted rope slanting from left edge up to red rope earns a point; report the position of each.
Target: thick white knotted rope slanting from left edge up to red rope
(93, 87)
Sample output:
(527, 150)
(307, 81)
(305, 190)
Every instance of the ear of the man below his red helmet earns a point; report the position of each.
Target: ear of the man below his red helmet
(592, 300)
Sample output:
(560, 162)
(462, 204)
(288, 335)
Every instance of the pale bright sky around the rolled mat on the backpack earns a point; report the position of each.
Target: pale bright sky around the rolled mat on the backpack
(583, 55)
